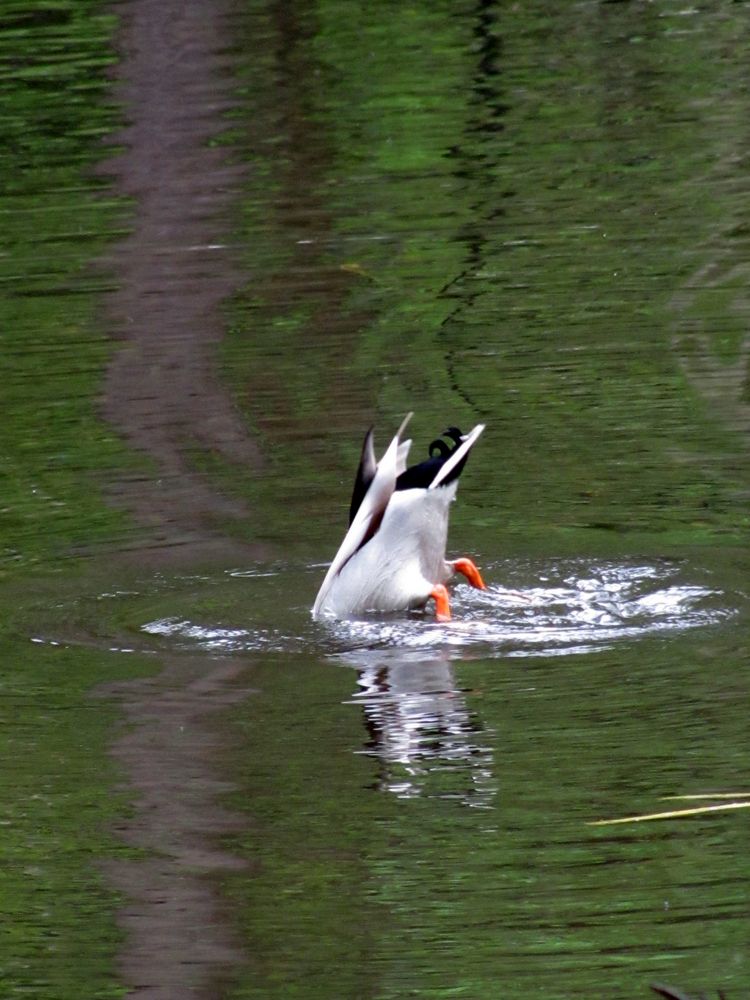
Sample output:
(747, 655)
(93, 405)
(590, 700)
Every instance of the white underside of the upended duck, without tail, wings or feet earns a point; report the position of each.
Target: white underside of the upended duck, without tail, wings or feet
(401, 564)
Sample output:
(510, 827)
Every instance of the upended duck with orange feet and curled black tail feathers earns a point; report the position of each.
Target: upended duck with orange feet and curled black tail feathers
(393, 556)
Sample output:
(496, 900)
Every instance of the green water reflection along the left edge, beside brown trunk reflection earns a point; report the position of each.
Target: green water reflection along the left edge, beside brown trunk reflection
(59, 936)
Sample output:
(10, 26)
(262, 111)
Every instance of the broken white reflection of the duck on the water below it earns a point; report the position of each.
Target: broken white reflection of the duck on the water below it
(420, 729)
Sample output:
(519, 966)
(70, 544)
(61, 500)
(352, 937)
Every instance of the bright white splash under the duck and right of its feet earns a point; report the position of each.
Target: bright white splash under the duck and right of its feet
(568, 608)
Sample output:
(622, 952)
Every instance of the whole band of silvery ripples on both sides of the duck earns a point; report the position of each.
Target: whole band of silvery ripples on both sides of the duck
(539, 609)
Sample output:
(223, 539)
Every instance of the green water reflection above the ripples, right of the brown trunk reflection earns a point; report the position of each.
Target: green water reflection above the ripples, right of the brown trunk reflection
(502, 232)
